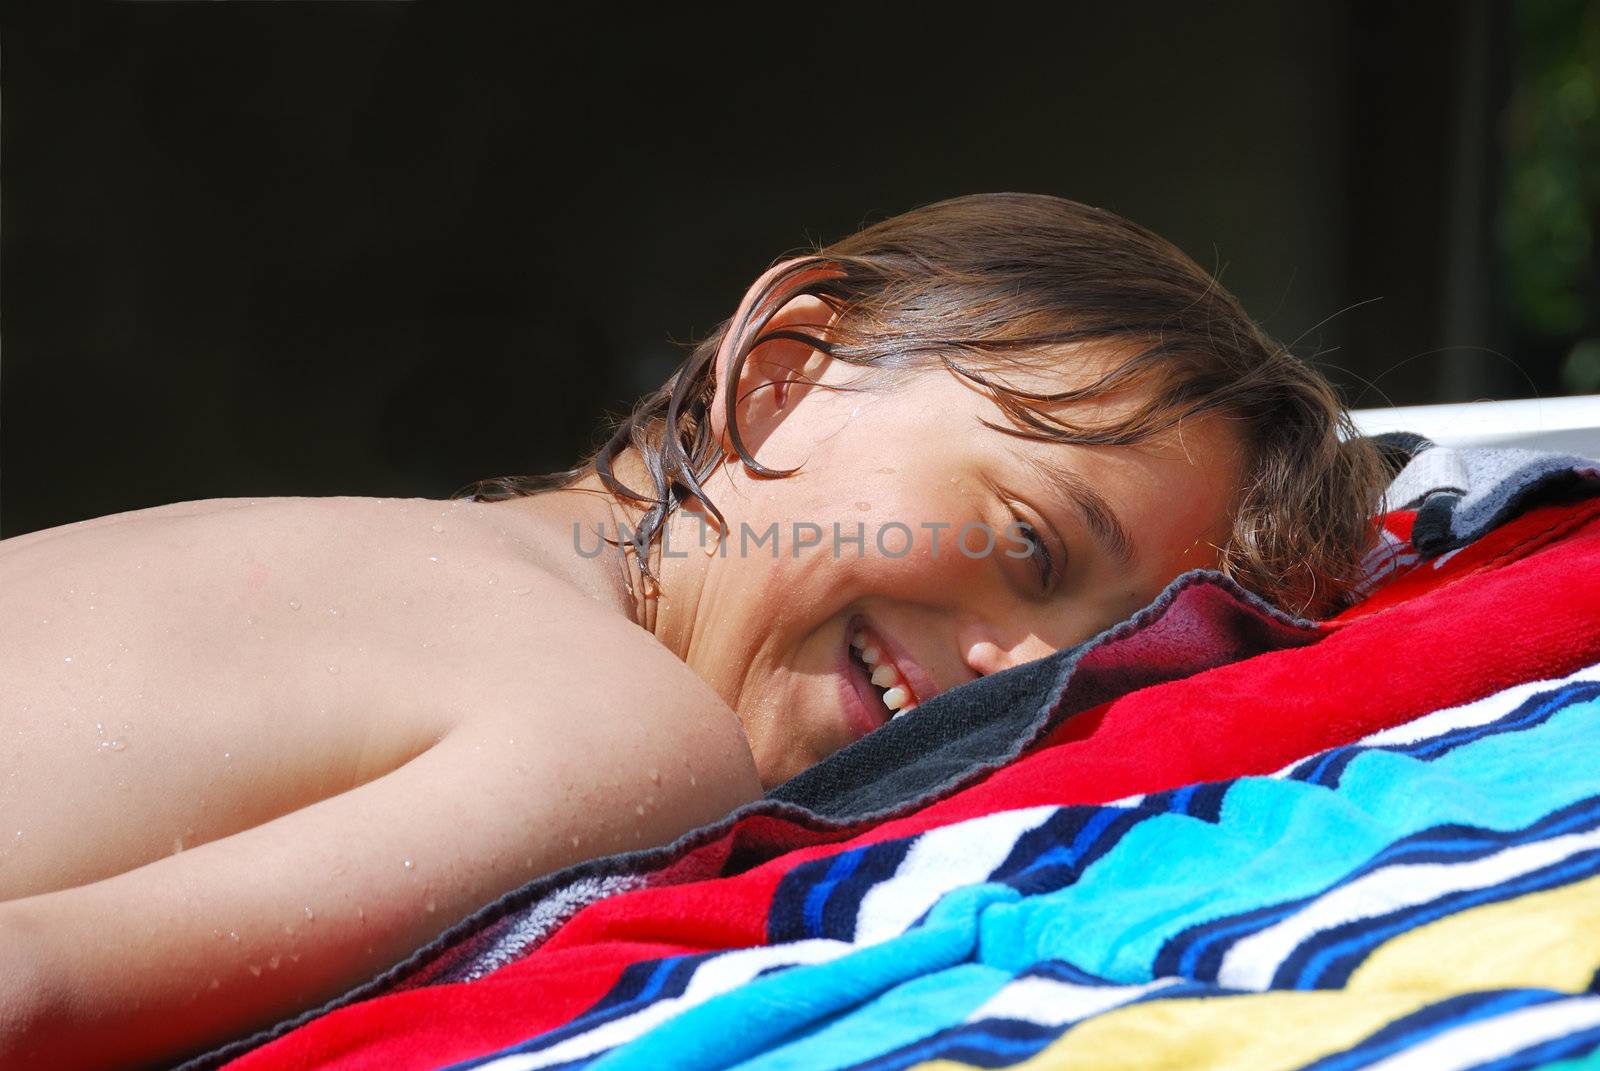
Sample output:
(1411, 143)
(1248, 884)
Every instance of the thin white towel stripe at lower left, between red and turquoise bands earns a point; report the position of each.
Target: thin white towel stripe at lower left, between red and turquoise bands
(711, 979)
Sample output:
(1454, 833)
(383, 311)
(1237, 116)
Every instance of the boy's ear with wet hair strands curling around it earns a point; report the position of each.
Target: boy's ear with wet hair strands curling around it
(777, 372)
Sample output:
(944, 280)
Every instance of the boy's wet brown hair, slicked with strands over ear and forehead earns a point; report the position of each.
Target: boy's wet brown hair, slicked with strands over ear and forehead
(991, 283)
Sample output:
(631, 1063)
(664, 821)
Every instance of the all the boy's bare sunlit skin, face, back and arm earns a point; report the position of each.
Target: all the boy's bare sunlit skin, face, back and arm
(297, 739)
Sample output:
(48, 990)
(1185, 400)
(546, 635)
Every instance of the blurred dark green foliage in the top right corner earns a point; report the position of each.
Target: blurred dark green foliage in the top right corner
(1551, 207)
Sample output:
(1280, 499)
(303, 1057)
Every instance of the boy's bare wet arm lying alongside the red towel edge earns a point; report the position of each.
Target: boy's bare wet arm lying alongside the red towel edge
(239, 934)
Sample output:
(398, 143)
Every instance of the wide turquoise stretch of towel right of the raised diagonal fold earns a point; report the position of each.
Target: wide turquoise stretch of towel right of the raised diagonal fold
(1286, 840)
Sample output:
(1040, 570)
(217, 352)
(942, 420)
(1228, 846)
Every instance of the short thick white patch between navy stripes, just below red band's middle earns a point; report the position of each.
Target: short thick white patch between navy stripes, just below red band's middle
(940, 862)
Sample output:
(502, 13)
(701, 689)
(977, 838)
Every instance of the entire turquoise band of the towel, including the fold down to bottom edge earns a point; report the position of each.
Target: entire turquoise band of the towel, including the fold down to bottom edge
(1276, 841)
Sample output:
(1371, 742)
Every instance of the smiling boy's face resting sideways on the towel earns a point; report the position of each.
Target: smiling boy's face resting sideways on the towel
(908, 468)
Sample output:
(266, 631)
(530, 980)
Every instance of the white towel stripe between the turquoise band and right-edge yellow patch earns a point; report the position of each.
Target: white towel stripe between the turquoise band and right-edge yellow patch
(1252, 961)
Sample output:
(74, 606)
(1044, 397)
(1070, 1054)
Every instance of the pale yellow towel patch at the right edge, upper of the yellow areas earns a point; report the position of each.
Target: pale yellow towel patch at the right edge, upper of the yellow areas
(1548, 941)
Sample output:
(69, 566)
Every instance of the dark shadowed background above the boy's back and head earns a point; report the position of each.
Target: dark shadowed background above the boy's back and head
(390, 249)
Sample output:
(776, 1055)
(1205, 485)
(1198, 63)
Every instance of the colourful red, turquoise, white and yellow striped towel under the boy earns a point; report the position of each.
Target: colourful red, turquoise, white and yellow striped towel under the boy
(1087, 902)
